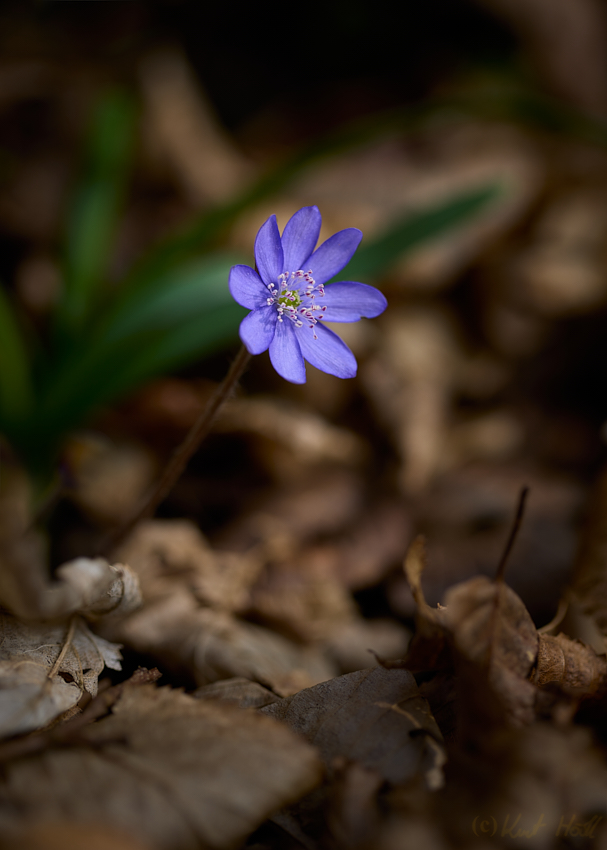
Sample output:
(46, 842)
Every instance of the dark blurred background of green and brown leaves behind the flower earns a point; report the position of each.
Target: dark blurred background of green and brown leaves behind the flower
(141, 147)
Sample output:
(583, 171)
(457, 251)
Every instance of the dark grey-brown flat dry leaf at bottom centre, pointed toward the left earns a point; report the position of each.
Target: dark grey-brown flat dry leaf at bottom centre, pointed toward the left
(376, 717)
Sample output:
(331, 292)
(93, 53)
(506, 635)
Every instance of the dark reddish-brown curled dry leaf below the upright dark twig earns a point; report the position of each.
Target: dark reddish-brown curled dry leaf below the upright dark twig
(485, 634)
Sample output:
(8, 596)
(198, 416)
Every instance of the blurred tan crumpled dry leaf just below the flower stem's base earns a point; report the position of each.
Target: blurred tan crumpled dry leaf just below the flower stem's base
(180, 573)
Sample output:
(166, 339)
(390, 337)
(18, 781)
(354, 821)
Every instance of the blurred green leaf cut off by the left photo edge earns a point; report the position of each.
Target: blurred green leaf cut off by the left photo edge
(16, 394)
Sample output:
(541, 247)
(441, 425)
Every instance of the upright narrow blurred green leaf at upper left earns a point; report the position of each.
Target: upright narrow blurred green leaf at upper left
(95, 207)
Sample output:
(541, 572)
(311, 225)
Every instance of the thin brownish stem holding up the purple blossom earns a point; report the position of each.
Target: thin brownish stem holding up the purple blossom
(182, 454)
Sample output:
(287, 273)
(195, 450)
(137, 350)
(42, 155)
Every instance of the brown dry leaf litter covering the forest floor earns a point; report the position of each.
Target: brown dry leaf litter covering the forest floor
(486, 730)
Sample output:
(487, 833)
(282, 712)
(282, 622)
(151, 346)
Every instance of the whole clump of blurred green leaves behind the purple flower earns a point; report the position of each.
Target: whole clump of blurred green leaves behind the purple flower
(173, 308)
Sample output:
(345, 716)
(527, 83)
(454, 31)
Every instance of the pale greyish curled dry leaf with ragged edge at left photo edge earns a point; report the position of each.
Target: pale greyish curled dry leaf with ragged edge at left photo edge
(48, 656)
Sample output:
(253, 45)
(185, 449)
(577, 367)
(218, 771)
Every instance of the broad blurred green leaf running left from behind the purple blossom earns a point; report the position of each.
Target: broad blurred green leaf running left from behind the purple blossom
(187, 314)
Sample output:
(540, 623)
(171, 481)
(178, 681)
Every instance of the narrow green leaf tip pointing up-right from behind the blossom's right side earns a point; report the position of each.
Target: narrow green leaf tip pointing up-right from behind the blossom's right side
(414, 229)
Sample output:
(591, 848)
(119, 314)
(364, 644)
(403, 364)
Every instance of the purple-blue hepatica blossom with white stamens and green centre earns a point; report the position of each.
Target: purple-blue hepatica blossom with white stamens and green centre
(290, 301)
